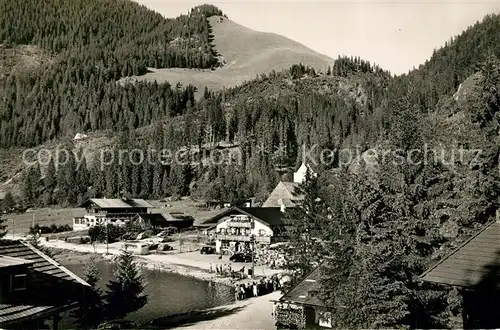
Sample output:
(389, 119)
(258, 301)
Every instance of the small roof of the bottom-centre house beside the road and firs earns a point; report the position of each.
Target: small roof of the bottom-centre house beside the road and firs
(305, 292)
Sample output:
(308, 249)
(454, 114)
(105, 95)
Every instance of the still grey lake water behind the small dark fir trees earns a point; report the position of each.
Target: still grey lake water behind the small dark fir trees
(167, 293)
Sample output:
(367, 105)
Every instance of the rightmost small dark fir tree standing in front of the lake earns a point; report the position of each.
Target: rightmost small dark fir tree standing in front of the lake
(125, 293)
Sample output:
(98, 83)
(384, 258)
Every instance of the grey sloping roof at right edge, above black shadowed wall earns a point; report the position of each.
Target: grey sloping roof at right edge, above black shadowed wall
(471, 262)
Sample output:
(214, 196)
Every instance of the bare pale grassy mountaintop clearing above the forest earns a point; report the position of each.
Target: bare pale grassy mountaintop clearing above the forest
(246, 53)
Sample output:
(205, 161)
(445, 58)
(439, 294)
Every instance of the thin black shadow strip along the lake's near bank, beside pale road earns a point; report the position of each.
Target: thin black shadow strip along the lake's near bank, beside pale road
(185, 319)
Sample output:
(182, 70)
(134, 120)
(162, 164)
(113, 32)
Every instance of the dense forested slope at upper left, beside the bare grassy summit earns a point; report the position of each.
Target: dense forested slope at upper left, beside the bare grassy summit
(94, 43)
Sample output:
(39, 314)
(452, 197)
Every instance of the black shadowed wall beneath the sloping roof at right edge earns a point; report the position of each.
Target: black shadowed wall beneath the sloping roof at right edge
(481, 300)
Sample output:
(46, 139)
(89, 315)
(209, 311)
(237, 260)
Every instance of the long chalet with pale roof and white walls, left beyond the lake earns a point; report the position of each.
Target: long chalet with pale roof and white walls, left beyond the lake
(101, 211)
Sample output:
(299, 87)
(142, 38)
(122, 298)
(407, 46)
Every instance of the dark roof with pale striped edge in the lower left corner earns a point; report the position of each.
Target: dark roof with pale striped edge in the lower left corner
(44, 275)
